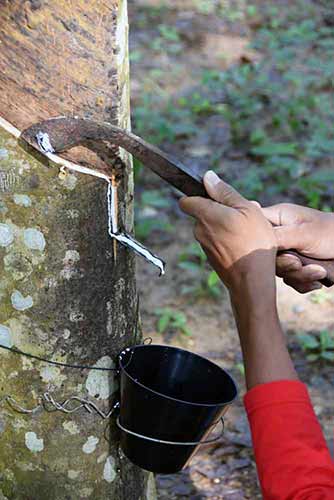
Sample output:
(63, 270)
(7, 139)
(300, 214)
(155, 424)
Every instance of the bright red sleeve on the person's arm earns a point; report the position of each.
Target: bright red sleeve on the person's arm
(292, 457)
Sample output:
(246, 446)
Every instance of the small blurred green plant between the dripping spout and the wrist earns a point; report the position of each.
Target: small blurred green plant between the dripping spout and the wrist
(204, 283)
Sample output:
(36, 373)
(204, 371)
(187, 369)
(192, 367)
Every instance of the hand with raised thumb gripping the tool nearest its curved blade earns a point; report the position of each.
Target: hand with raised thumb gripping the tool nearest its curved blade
(238, 240)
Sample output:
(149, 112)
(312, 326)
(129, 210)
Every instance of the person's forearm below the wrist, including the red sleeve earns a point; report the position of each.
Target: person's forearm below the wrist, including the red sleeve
(292, 458)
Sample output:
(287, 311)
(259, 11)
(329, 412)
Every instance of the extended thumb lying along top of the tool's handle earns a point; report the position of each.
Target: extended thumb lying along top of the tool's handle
(219, 191)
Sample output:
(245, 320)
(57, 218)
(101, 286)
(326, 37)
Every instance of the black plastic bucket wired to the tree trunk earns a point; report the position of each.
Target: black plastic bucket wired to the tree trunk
(170, 401)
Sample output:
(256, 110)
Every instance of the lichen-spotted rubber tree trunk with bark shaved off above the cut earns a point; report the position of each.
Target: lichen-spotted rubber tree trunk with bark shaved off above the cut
(66, 292)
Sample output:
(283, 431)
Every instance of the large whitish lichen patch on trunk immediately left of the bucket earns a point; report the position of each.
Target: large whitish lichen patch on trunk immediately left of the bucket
(101, 384)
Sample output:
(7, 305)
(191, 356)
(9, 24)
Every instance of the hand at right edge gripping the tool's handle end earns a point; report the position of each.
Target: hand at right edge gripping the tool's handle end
(308, 231)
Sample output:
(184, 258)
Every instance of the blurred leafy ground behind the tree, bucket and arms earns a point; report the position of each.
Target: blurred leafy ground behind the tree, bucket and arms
(244, 88)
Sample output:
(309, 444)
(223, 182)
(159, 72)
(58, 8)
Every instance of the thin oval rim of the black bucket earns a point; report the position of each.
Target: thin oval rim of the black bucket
(191, 403)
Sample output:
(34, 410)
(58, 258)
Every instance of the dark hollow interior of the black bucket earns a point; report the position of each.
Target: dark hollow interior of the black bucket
(179, 374)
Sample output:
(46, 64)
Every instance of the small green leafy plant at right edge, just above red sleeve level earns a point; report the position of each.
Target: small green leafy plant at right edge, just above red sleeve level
(318, 346)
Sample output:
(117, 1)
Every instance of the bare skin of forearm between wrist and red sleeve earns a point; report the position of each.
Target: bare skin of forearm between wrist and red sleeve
(263, 344)
